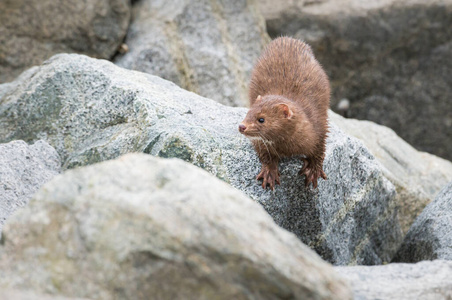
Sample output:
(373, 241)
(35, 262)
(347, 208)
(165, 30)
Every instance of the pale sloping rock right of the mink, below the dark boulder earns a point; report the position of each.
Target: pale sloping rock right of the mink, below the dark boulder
(417, 176)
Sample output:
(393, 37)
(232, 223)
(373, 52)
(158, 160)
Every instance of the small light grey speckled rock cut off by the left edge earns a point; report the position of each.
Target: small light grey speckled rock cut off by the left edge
(23, 170)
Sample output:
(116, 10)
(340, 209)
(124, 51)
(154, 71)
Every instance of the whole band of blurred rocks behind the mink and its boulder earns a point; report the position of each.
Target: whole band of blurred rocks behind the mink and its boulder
(389, 61)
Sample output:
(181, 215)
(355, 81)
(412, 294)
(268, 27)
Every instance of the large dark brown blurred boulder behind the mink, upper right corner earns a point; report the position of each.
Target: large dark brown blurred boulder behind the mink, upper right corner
(392, 59)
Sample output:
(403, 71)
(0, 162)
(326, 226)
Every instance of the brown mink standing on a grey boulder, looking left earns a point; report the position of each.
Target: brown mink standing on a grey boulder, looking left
(289, 97)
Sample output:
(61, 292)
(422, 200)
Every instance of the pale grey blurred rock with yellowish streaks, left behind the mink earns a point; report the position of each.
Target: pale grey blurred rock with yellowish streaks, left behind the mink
(205, 46)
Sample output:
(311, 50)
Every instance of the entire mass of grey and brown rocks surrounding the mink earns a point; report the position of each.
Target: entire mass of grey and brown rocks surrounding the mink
(118, 184)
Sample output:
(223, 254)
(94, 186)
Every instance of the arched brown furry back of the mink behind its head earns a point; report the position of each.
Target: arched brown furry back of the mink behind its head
(288, 67)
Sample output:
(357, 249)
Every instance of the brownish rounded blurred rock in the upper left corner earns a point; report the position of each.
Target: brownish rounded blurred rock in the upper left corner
(31, 31)
